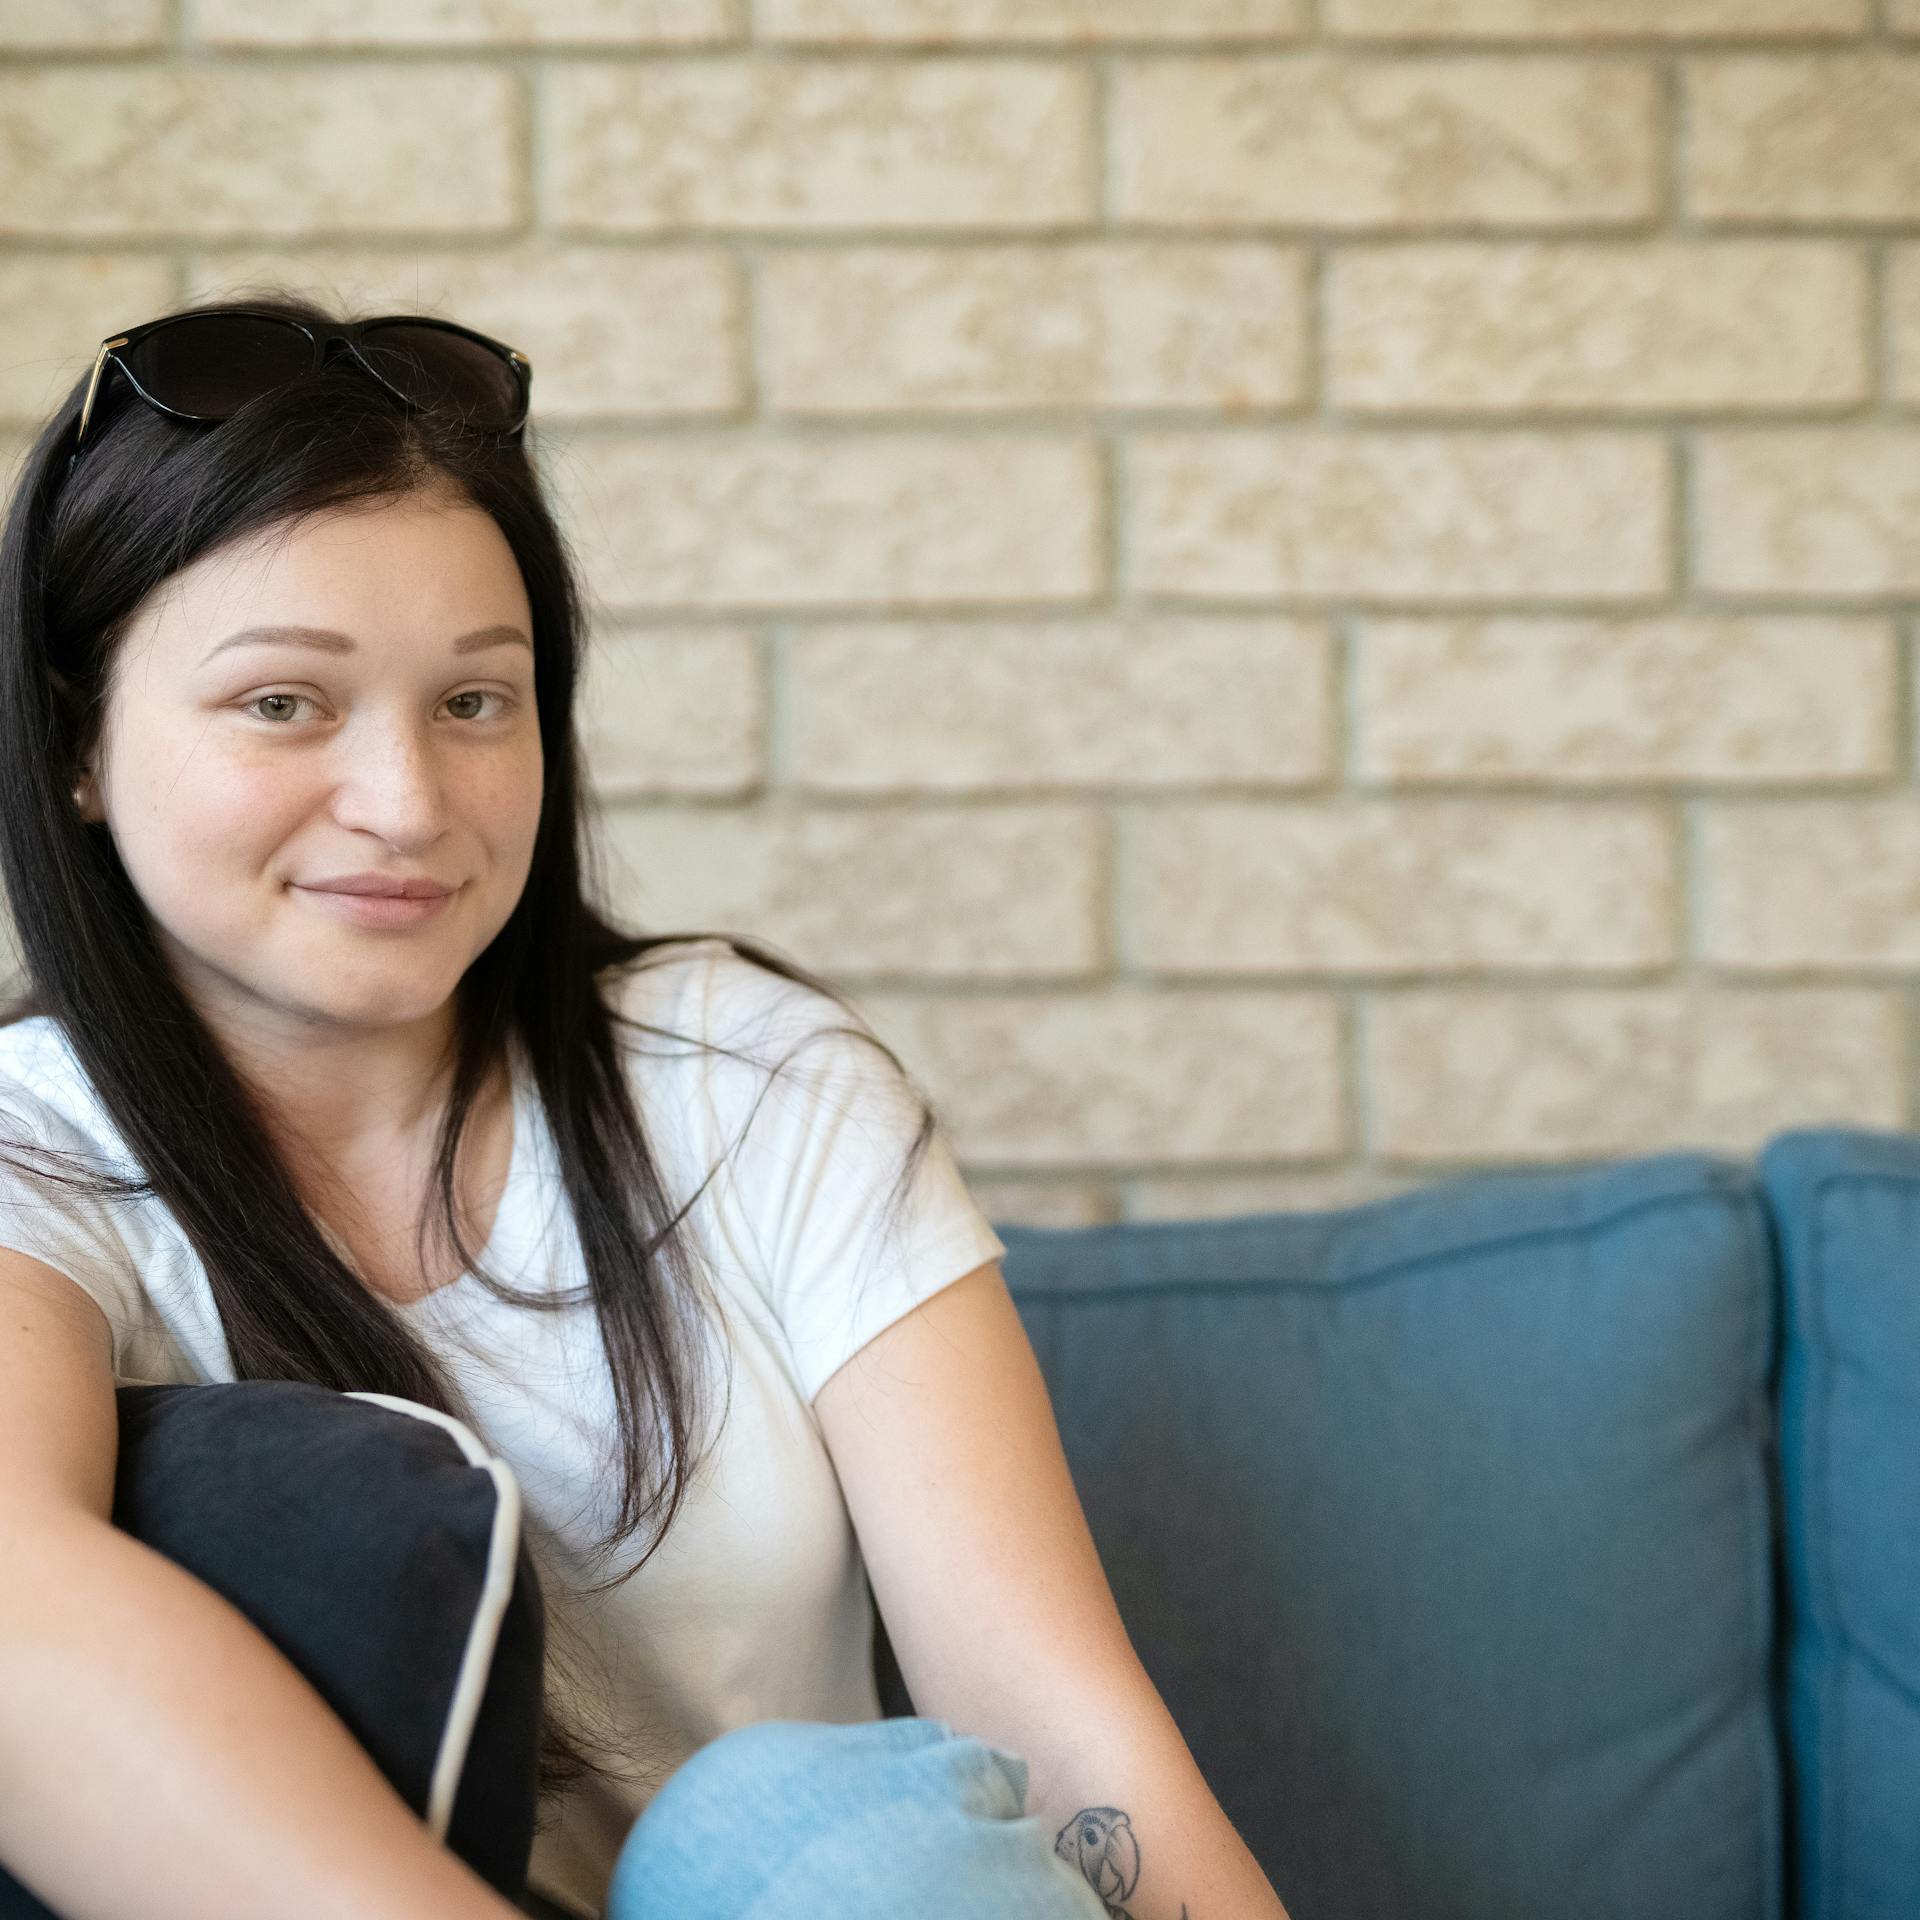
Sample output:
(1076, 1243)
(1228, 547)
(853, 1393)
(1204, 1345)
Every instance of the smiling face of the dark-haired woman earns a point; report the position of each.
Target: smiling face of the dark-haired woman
(233, 775)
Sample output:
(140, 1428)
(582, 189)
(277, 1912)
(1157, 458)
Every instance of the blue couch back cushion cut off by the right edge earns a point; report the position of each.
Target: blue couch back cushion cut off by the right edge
(1848, 1209)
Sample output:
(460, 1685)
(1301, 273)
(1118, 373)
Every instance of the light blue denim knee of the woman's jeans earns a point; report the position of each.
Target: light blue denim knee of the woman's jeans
(875, 1821)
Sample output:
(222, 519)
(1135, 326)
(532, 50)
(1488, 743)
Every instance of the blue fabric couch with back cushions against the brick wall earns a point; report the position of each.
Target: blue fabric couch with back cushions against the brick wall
(1533, 1547)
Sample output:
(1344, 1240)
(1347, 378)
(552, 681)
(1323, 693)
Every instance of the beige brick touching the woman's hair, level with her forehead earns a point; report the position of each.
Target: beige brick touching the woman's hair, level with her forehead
(723, 519)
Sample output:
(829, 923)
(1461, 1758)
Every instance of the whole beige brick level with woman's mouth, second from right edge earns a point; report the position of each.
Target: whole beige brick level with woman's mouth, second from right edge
(1387, 886)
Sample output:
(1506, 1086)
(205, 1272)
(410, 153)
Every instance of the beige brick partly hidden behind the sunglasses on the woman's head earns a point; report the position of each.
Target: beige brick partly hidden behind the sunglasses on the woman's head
(613, 333)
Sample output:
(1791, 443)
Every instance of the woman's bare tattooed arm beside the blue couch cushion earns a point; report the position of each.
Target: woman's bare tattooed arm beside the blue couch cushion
(1001, 1616)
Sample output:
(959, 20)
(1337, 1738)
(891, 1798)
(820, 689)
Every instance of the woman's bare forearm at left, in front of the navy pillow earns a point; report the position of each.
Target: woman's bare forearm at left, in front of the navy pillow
(160, 1758)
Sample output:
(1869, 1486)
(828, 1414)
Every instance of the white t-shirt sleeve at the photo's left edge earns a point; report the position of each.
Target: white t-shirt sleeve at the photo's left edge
(72, 1230)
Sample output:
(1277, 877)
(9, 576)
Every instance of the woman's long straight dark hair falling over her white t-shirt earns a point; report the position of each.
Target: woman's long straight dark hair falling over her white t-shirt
(76, 560)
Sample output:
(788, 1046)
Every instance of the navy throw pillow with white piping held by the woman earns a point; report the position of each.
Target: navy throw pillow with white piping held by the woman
(377, 1545)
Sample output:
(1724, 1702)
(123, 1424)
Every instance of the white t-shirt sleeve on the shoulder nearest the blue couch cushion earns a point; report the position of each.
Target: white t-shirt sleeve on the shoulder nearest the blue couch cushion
(842, 1257)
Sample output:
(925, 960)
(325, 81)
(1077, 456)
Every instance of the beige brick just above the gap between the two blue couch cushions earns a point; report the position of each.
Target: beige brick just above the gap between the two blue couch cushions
(1489, 1076)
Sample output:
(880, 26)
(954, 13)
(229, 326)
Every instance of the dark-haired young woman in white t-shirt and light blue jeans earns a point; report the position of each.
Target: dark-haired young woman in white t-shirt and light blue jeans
(333, 1070)
